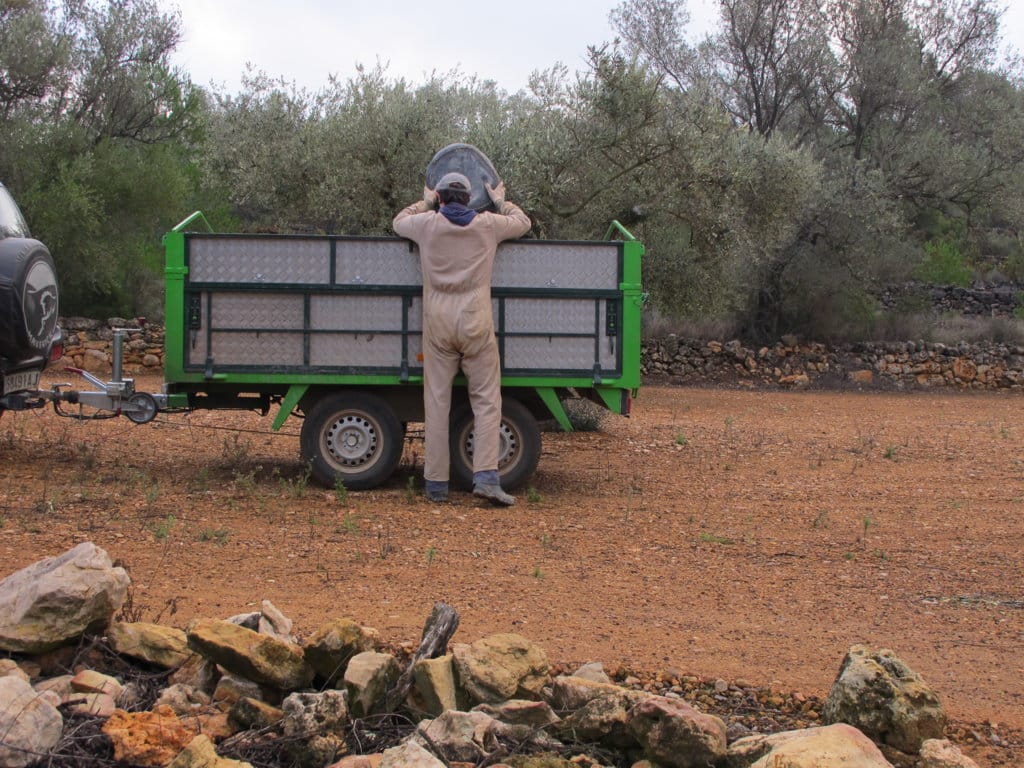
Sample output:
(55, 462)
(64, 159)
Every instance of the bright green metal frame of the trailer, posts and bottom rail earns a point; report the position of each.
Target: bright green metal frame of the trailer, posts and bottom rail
(295, 386)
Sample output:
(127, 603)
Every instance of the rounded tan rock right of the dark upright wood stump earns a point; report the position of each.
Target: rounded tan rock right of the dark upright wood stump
(501, 667)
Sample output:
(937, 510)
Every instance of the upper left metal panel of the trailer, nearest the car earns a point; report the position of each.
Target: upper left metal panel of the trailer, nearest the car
(260, 261)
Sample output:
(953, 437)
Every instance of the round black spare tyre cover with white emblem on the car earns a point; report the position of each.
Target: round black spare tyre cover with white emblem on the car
(29, 297)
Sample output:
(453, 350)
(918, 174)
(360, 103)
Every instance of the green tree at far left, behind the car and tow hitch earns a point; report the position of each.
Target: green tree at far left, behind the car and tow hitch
(95, 130)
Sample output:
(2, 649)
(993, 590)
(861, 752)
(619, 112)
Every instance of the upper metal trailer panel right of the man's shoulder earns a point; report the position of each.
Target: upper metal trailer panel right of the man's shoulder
(593, 266)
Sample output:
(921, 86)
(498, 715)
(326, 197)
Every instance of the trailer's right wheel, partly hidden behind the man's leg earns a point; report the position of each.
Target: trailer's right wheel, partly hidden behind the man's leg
(520, 451)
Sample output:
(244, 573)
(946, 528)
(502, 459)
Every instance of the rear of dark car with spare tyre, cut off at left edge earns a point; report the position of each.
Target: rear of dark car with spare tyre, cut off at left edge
(30, 334)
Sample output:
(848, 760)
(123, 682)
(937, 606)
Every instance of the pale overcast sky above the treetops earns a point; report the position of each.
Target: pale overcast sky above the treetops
(305, 41)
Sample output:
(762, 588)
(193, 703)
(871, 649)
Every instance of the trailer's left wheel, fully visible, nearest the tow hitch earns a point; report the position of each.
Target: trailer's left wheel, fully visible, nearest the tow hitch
(353, 438)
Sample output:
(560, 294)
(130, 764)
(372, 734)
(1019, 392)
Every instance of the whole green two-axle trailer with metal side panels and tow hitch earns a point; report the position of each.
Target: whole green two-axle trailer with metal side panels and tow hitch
(328, 328)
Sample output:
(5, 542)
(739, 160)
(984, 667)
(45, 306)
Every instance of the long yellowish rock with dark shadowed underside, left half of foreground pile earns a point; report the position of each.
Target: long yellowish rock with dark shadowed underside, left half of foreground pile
(259, 658)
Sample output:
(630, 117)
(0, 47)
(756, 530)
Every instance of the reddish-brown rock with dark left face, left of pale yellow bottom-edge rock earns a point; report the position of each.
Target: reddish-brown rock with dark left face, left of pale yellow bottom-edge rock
(676, 736)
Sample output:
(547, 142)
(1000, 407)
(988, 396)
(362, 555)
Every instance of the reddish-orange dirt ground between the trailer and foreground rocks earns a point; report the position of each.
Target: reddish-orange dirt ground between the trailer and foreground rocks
(742, 535)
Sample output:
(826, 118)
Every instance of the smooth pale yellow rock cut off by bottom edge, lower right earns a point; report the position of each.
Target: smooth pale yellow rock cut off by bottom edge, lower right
(816, 748)
